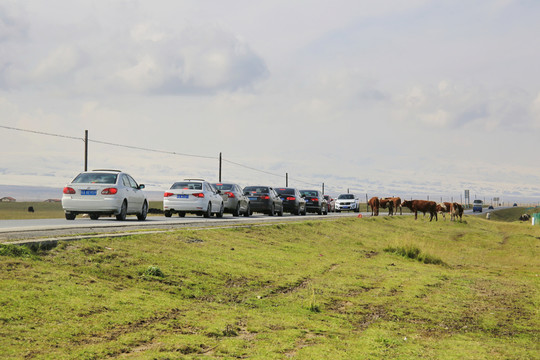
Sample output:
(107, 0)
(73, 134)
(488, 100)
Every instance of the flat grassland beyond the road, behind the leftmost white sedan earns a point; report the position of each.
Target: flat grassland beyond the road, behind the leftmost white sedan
(42, 210)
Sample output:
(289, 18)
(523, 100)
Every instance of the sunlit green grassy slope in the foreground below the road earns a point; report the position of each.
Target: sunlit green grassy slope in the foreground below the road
(316, 289)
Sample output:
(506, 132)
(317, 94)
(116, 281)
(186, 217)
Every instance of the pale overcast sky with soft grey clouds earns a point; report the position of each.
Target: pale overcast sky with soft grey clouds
(405, 97)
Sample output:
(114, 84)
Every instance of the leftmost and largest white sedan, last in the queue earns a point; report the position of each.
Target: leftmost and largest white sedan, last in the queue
(104, 193)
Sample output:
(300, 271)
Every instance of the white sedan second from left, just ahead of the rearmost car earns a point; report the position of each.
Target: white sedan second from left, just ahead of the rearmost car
(194, 196)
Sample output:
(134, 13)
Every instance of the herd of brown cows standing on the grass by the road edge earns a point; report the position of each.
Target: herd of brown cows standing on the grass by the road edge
(424, 206)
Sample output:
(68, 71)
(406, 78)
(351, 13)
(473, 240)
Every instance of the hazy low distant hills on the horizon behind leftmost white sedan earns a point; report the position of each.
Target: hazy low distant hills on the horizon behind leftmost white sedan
(42, 193)
